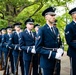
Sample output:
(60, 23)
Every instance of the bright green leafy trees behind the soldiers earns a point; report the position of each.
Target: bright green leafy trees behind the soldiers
(19, 10)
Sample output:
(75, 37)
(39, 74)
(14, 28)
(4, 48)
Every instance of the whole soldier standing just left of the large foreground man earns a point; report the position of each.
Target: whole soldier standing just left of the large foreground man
(27, 45)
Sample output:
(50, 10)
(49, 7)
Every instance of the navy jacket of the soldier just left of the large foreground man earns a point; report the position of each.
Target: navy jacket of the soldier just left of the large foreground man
(26, 41)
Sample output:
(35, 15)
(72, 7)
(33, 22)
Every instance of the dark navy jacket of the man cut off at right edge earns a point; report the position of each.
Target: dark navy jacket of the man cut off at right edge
(70, 35)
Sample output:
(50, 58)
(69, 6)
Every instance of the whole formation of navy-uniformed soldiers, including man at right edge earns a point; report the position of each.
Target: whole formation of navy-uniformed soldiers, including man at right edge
(37, 50)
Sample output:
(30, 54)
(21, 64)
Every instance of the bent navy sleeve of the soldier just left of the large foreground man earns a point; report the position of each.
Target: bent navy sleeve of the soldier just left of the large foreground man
(22, 44)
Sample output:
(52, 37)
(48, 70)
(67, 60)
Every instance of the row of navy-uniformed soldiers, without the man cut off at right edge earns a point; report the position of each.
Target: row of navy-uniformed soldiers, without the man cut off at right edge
(37, 52)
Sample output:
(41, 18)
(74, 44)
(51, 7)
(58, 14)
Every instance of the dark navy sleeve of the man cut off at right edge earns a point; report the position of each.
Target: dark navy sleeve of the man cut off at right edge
(69, 37)
